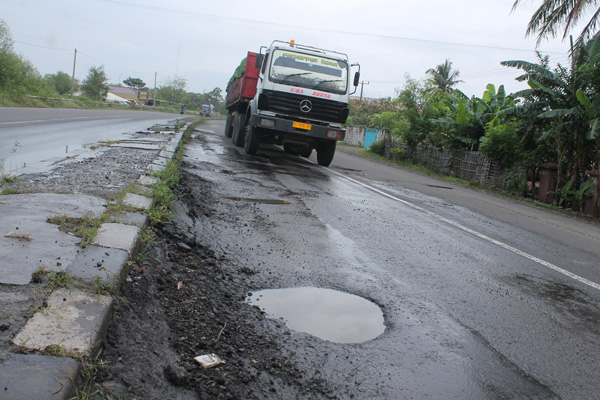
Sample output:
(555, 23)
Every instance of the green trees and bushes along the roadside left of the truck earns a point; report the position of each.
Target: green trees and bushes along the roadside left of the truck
(21, 85)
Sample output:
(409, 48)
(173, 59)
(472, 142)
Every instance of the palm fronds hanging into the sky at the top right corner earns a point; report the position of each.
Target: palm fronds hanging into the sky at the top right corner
(553, 14)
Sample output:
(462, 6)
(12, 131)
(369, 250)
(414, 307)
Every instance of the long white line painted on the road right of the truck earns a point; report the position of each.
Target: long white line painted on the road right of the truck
(477, 234)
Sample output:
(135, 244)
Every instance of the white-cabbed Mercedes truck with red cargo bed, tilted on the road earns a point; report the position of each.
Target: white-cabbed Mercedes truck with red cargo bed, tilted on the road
(291, 95)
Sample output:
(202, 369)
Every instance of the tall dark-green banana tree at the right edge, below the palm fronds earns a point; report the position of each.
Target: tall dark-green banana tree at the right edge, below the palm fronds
(559, 101)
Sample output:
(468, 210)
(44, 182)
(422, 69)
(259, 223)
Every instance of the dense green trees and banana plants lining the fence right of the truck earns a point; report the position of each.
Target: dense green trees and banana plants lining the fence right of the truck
(555, 121)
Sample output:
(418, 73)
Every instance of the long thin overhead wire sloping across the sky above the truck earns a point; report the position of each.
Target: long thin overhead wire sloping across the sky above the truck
(372, 35)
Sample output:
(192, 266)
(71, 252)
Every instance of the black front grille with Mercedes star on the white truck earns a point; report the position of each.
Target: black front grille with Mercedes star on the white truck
(289, 104)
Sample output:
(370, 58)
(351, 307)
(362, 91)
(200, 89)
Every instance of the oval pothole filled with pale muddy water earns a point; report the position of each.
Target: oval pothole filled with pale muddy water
(327, 314)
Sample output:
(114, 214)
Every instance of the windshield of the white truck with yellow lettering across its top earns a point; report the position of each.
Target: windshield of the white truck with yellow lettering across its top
(309, 71)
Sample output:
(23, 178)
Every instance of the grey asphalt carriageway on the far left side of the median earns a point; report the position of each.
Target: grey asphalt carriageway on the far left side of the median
(33, 139)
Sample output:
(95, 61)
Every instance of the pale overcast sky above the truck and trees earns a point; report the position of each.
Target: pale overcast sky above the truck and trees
(204, 41)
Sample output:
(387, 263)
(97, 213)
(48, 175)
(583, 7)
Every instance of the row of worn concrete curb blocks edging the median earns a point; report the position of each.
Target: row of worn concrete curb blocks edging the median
(75, 322)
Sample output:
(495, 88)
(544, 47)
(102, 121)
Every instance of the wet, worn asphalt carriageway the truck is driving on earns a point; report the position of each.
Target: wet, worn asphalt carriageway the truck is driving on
(472, 306)
